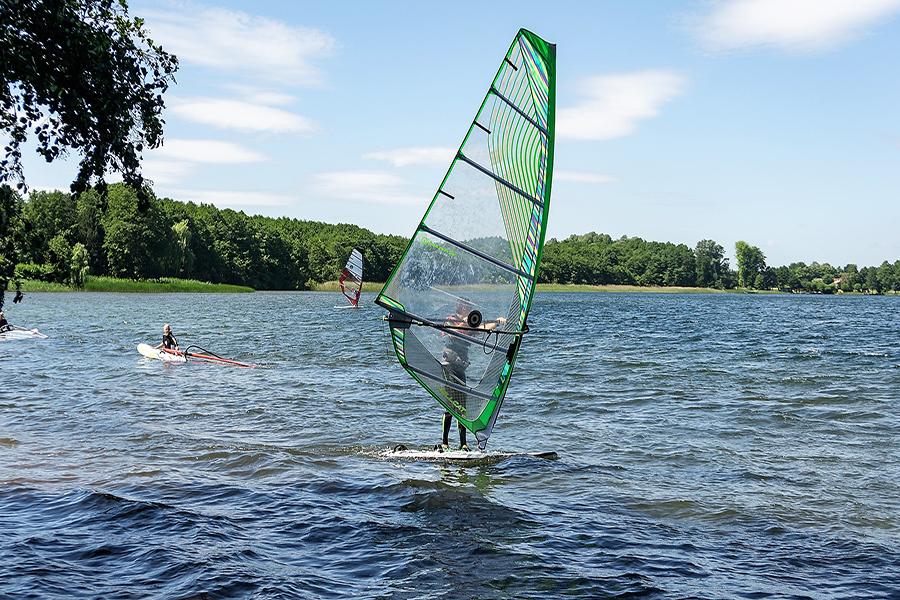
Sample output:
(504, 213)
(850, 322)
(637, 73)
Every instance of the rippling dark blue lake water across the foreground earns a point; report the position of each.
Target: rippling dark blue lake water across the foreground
(710, 446)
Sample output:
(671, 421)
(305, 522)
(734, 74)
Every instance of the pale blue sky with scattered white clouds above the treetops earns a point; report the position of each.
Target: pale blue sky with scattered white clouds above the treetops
(772, 121)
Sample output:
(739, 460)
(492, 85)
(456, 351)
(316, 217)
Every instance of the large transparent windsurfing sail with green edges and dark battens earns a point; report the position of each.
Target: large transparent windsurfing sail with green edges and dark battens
(479, 244)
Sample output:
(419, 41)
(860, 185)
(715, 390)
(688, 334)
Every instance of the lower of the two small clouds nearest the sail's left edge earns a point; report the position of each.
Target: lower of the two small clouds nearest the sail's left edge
(374, 187)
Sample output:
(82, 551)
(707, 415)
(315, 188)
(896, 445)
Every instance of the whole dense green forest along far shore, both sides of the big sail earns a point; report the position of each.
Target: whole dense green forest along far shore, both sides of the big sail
(57, 236)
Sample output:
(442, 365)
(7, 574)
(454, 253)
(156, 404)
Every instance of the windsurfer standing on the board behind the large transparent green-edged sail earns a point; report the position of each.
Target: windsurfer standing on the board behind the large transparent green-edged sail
(454, 362)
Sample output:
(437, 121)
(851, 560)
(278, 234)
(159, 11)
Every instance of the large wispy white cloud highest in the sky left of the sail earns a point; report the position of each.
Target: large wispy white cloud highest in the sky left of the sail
(231, 40)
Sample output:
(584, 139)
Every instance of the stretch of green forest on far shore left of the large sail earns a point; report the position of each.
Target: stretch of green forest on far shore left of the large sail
(57, 236)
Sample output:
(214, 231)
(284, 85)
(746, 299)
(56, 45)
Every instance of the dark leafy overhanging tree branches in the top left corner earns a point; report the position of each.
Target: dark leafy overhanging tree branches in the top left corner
(81, 75)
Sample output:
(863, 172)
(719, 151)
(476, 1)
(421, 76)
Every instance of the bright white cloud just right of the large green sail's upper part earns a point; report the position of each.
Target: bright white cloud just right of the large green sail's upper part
(613, 105)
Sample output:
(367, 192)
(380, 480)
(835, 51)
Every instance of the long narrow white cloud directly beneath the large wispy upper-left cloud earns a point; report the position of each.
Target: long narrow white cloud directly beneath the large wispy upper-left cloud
(239, 115)
